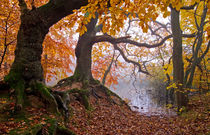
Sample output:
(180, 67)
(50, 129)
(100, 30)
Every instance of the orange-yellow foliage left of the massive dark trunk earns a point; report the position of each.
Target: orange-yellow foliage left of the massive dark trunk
(9, 17)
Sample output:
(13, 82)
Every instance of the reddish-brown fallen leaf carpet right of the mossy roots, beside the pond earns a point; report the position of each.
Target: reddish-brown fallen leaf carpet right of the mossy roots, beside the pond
(113, 119)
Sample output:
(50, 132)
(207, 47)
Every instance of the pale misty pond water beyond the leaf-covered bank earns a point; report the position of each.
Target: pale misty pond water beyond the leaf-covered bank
(142, 98)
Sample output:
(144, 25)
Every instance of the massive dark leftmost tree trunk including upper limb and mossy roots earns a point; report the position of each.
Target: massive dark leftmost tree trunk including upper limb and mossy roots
(26, 71)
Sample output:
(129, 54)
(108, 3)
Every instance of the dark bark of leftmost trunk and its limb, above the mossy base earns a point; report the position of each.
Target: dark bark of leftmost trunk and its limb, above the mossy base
(34, 26)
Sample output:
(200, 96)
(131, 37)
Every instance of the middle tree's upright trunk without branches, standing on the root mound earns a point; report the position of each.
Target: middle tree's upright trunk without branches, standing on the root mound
(83, 53)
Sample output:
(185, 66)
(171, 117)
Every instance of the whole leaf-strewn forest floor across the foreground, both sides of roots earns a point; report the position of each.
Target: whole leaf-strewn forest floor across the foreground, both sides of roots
(110, 119)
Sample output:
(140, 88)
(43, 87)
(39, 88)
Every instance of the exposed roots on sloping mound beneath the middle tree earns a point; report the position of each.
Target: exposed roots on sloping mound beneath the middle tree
(92, 87)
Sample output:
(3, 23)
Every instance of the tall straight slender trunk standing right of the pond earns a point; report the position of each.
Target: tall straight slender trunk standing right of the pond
(178, 65)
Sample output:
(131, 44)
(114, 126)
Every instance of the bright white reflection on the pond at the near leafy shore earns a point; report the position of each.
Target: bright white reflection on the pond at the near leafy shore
(144, 104)
